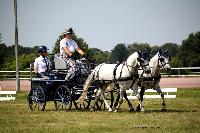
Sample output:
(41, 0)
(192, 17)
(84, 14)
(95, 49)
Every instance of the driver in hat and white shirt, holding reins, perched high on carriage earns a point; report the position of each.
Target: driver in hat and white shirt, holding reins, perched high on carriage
(67, 48)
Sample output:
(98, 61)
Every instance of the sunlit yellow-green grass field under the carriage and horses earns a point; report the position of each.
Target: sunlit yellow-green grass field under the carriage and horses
(183, 115)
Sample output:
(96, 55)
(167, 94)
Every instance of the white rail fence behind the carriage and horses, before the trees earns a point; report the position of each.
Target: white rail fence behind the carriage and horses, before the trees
(26, 74)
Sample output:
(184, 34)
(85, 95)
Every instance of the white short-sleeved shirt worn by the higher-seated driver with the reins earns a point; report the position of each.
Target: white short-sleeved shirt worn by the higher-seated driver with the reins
(69, 43)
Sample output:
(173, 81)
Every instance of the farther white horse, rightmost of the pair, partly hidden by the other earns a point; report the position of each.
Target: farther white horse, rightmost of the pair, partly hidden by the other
(159, 62)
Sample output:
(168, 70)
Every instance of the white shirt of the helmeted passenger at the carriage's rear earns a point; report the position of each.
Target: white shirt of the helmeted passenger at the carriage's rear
(40, 64)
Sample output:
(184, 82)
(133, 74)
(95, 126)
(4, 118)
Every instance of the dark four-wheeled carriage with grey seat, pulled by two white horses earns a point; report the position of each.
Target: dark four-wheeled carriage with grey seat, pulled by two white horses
(64, 92)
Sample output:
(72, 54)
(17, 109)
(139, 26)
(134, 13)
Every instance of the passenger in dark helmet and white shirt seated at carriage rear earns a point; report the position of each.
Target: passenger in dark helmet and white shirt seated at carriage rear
(42, 63)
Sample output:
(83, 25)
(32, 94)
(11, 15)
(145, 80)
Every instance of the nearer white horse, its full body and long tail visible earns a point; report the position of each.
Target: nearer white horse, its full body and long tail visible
(107, 74)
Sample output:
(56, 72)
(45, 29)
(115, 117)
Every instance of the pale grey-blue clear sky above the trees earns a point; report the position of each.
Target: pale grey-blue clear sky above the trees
(101, 23)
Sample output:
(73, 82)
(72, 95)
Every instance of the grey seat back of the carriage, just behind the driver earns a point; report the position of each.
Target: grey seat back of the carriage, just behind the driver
(59, 63)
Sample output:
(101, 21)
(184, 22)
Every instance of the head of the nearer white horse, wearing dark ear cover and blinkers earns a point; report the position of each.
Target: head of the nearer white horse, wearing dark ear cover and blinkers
(143, 61)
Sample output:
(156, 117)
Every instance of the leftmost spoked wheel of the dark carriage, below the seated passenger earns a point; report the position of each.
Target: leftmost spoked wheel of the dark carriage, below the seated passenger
(36, 99)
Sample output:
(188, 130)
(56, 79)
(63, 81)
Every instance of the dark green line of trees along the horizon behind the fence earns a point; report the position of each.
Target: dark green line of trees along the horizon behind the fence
(187, 54)
